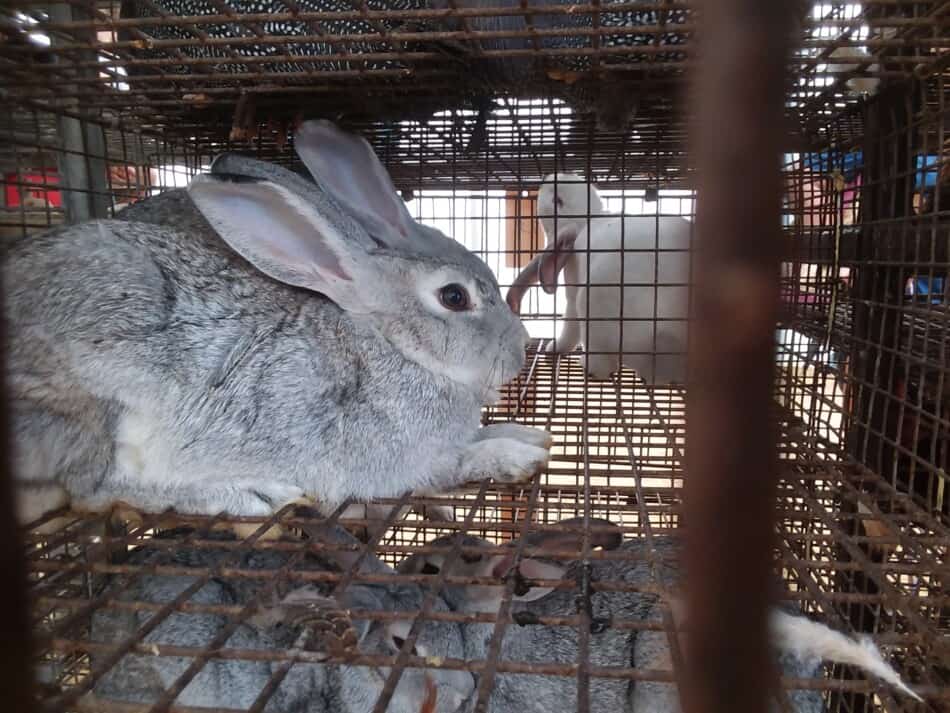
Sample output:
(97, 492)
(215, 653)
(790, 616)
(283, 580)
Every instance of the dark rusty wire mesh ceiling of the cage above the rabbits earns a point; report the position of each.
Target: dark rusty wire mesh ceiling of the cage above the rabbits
(182, 72)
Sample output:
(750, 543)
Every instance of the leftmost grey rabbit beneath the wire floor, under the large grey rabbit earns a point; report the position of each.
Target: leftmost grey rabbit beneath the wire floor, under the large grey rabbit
(300, 618)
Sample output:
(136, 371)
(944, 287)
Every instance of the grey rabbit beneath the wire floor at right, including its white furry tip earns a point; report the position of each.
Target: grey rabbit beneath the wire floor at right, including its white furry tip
(800, 643)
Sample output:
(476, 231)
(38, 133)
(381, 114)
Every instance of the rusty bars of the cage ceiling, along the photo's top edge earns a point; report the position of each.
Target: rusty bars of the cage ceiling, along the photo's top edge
(920, 35)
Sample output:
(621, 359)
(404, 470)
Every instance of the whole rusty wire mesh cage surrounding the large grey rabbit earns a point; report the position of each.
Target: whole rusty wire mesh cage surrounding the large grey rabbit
(861, 396)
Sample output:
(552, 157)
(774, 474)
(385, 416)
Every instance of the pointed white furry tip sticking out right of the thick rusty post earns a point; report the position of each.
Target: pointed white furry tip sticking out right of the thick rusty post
(805, 638)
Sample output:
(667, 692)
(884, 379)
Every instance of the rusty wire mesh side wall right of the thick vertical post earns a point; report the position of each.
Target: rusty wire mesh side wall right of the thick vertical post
(870, 294)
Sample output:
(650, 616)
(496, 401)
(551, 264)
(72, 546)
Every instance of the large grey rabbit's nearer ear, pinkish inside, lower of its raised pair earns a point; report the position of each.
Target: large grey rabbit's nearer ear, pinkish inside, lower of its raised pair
(282, 235)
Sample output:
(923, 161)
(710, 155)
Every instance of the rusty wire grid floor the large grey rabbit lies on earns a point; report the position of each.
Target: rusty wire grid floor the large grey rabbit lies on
(77, 569)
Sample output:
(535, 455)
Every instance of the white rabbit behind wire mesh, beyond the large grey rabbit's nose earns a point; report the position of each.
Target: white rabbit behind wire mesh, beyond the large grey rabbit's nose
(629, 295)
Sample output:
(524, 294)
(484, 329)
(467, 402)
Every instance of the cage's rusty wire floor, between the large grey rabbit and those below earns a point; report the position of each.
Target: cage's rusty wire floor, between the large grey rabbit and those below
(851, 550)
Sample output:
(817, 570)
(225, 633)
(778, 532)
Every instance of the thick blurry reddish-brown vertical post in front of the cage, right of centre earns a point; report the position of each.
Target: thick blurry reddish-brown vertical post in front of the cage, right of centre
(730, 450)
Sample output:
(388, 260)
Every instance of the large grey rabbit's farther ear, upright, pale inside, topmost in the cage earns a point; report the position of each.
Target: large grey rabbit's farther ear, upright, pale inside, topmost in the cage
(346, 167)
